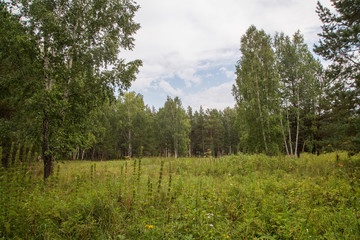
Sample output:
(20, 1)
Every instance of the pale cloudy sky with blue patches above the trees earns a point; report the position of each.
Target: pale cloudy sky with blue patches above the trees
(189, 48)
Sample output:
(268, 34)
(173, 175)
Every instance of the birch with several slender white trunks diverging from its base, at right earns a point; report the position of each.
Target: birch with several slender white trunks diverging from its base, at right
(297, 70)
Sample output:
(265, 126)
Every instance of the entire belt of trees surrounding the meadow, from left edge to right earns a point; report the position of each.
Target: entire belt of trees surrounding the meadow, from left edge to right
(60, 72)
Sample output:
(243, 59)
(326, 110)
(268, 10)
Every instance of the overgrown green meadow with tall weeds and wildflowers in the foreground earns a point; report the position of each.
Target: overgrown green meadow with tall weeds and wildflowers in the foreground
(234, 197)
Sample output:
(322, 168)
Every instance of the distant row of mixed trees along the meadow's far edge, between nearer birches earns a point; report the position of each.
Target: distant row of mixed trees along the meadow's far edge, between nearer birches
(127, 127)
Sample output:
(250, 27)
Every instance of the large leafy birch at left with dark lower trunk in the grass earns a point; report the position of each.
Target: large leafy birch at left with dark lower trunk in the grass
(77, 43)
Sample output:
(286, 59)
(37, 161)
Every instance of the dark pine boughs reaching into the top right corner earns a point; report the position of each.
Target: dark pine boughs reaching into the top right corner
(340, 40)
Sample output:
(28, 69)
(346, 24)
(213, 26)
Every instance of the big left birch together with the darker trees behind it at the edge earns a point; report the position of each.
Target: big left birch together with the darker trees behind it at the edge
(63, 67)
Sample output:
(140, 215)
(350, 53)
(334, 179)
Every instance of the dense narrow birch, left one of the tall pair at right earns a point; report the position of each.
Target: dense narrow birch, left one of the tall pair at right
(256, 92)
